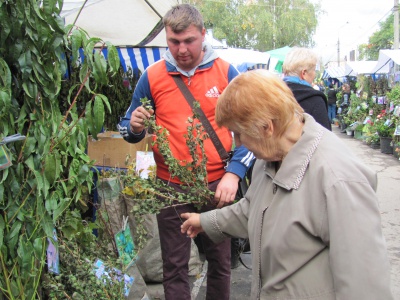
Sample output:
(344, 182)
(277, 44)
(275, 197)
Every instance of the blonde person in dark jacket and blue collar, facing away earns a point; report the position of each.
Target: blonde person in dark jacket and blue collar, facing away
(299, 73)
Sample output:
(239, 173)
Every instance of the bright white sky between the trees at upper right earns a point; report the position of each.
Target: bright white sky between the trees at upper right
(351, 22)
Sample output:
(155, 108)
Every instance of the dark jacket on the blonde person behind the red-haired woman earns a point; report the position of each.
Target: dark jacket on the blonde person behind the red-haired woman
(312, 101)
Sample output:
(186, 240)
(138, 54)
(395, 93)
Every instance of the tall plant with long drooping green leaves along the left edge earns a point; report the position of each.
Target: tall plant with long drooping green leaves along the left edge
(51, 173)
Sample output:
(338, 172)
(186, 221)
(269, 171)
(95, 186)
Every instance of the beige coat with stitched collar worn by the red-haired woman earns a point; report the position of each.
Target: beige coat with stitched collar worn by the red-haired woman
(314, 226)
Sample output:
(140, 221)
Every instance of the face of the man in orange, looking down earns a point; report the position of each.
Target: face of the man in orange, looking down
(186, 47)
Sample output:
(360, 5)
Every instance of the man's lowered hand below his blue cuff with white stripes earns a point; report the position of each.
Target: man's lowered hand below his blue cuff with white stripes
(226, 189)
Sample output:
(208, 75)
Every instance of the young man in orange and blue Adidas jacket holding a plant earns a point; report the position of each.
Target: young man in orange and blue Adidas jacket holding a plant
(206, 76)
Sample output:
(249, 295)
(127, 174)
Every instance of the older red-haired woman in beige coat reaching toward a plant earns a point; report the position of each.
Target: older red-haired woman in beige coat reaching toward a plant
(311, 212)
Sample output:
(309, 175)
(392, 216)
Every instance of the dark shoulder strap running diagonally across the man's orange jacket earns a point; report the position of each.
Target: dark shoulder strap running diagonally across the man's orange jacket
(206, 123)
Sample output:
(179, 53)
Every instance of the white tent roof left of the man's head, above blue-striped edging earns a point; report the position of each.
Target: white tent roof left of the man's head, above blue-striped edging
(122, 22)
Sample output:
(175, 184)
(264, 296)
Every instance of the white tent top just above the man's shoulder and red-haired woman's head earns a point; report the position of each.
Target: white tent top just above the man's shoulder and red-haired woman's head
(243, 59)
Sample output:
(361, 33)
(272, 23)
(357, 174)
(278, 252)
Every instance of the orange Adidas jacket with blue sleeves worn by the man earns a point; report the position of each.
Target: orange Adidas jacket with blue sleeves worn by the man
(172, 111)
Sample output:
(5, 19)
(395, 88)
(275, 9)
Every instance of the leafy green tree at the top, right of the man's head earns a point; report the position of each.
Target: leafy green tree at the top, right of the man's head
(263, 24)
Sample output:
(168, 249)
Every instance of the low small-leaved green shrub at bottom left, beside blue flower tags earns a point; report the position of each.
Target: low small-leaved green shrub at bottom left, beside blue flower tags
(79, 249)
